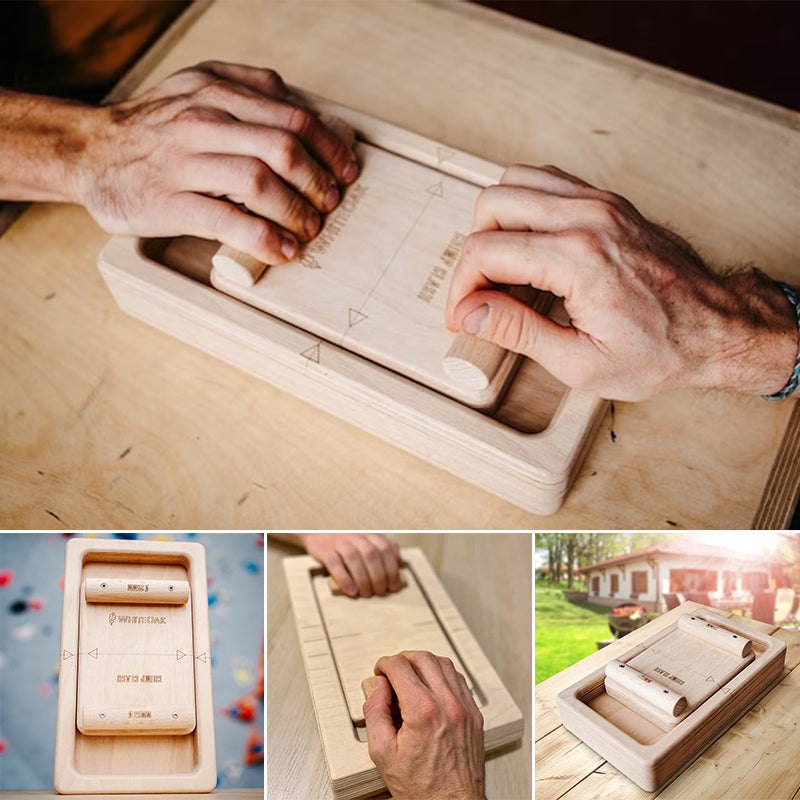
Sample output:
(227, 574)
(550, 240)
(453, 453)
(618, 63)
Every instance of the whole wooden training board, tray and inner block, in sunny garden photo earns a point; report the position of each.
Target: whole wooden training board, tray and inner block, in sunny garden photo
(651, 712)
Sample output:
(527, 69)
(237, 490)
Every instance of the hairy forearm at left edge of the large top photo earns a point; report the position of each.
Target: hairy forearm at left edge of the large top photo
(45, 144)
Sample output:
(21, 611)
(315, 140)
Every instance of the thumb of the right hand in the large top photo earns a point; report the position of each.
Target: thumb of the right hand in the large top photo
(509, 323)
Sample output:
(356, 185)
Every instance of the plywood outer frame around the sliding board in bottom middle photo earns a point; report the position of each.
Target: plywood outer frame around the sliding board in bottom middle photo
(352, 773)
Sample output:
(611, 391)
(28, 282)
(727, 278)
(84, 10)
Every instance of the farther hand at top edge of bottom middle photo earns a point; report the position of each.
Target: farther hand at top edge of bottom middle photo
(361, 563)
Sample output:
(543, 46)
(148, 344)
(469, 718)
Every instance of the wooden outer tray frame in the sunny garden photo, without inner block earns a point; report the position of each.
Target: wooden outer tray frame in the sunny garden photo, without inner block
(651, 766)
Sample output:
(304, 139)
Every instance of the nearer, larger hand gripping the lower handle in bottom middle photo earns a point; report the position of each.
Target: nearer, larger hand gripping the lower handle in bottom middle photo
(437, 751)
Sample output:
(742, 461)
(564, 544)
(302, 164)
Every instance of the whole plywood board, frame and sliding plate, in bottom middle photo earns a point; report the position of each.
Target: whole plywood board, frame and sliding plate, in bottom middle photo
(419, 616)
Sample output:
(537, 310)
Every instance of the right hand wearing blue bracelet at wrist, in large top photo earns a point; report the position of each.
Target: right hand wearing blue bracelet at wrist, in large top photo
(647, 315)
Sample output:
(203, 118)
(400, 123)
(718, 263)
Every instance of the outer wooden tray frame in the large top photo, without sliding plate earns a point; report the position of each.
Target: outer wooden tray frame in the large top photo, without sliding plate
(532, 470)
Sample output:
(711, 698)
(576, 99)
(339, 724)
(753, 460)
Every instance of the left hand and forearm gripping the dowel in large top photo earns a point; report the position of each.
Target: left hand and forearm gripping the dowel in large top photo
(219, 151)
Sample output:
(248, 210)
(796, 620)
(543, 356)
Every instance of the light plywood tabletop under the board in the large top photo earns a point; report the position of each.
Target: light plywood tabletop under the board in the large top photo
(107, 423)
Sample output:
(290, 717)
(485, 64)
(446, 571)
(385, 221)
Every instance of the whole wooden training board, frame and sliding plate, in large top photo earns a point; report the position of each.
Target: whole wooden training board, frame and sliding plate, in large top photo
(528, 439)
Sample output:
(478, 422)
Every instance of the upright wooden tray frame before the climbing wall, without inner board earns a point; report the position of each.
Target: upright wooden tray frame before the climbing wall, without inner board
(69, 777)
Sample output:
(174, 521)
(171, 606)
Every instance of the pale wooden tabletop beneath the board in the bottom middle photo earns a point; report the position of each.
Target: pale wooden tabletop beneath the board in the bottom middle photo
(488, 577)
